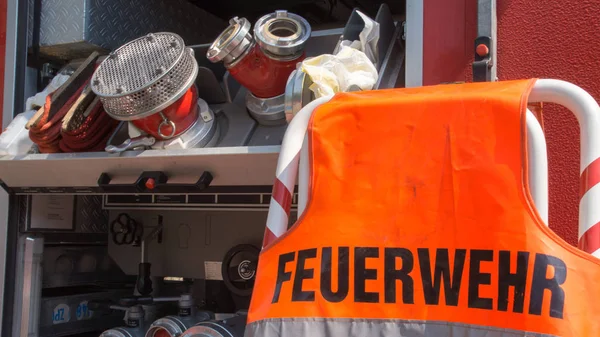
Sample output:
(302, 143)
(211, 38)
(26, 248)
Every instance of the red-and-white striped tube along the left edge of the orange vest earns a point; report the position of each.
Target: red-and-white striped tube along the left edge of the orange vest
(287, 173)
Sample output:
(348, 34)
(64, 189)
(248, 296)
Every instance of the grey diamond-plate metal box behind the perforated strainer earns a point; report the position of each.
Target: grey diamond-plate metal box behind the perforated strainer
(76, 27)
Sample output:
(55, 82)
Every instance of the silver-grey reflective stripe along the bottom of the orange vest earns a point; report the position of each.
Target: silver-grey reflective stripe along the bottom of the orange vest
(342, 327)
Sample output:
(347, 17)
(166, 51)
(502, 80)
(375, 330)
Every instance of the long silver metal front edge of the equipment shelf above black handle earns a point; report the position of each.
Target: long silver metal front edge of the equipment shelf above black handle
(229, 165)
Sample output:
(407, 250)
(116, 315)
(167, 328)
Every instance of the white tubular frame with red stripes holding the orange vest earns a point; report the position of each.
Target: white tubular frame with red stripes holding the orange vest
(294, 155)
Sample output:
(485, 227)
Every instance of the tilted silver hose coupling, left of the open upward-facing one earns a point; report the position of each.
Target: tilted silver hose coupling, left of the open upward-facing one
(232, 42)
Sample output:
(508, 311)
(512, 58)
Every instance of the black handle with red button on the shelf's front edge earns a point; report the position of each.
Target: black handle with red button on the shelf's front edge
(154, 182)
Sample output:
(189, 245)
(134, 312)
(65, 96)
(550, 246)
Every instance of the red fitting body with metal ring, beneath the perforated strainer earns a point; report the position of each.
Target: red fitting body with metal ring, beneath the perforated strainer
(183, 113)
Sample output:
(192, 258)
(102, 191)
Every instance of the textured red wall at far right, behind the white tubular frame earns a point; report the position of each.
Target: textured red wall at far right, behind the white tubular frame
(554, 40)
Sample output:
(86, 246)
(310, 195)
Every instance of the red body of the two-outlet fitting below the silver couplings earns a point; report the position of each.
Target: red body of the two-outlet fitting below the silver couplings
(264, 76)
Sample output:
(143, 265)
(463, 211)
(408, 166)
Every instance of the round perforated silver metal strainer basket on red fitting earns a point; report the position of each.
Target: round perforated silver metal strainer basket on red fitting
(145, 76)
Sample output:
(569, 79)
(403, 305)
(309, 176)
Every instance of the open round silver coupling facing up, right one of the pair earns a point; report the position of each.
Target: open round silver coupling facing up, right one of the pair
(282, 33)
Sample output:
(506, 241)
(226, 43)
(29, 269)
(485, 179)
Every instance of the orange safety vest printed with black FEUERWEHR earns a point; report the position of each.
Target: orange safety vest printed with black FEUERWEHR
(420, 223)
